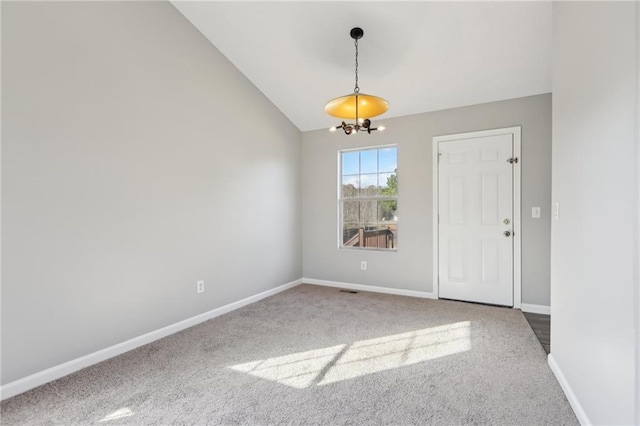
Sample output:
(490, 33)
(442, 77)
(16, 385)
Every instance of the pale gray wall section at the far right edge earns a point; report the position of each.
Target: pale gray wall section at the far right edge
(594, 274)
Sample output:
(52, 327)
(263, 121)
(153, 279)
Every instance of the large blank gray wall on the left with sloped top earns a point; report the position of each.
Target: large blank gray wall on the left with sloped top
(136, 160)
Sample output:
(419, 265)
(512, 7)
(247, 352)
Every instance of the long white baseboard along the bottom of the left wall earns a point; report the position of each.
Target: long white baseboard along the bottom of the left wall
(22, 385)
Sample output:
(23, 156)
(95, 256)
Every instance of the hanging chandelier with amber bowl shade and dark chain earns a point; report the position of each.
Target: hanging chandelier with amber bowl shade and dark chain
(356, 106)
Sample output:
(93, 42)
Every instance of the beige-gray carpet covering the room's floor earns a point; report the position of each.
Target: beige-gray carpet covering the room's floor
(315, 355)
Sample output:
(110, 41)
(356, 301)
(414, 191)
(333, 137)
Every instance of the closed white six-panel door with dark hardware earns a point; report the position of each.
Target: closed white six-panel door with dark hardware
(475, 230)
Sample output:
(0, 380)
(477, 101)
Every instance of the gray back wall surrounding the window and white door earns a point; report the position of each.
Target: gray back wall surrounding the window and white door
(410, 268)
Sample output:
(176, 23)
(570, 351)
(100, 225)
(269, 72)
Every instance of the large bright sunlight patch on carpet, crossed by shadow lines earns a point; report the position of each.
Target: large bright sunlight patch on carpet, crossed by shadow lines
(342, 362)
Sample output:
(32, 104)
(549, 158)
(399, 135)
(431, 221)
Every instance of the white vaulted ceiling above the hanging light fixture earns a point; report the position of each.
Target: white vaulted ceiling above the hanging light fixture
(420, 56)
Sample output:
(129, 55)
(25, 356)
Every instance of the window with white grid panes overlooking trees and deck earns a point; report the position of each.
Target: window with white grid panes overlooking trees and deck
(369, 198)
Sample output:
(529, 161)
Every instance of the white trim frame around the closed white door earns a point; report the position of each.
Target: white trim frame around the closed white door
(517, 215)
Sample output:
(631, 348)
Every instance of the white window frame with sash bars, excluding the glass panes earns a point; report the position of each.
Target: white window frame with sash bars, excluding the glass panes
(341, 199)
